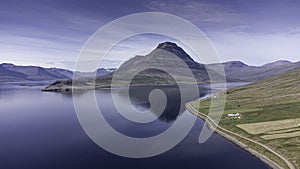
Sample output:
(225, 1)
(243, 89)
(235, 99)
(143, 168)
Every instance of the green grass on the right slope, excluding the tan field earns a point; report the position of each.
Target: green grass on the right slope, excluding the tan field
(272, 99)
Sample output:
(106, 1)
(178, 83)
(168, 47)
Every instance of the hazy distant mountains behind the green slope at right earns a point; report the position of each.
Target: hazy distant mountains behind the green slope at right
(242, 72)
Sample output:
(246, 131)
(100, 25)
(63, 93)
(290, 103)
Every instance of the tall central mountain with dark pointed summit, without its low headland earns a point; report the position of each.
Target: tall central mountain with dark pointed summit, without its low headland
(171, 59)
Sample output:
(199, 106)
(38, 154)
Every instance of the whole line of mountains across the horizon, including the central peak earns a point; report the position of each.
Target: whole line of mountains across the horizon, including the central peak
(167, 55)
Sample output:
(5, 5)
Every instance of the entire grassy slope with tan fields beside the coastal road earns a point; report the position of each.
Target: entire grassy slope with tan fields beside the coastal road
(270, 114)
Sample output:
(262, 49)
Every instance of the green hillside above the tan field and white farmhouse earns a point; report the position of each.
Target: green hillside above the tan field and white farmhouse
(272, 99)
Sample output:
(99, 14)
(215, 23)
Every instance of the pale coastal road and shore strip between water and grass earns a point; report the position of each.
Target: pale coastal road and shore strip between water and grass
(233, 140)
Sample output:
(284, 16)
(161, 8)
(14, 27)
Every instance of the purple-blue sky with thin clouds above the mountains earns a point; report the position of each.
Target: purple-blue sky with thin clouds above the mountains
(51, 33)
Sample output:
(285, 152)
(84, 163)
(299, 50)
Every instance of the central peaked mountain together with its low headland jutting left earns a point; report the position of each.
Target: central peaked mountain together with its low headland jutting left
(167, 64)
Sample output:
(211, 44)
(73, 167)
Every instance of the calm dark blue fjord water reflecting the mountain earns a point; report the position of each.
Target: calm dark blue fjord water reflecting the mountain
(40, 130)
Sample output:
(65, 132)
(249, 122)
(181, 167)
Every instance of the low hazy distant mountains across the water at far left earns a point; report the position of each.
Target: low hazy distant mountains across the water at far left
(13, 73)
